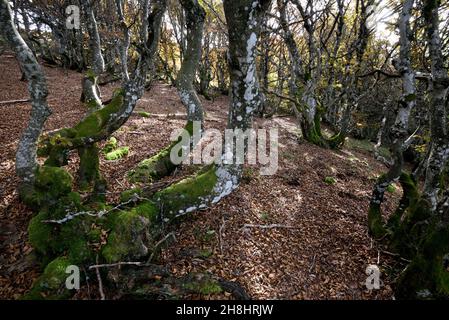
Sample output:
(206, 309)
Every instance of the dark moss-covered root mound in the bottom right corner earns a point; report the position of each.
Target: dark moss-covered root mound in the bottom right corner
(427, 277)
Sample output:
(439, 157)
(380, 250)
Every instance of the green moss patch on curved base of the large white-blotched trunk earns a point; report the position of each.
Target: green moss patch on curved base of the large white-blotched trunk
(188, 193)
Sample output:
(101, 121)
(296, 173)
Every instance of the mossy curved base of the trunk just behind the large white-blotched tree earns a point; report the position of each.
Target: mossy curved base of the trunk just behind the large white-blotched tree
(160, 165)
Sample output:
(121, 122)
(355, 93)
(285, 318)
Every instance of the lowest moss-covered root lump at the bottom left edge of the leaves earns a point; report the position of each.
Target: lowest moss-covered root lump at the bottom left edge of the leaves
(51, 285)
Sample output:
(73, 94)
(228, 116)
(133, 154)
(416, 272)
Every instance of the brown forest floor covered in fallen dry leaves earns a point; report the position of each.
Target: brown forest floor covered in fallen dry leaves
(322, 255)
